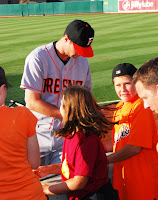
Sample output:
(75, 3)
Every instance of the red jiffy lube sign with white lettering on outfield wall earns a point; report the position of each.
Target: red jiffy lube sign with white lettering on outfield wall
(138, 5)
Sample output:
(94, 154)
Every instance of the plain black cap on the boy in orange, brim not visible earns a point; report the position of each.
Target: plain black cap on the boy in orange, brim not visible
(123, 69)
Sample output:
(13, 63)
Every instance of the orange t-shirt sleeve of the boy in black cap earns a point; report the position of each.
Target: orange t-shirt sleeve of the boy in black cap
(142, 127)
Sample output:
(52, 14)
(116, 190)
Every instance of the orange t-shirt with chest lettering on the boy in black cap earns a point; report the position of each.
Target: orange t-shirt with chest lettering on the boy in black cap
(137, 177)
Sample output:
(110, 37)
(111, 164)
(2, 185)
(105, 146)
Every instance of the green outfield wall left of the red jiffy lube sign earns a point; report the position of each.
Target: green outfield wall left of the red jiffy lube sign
(54, 8)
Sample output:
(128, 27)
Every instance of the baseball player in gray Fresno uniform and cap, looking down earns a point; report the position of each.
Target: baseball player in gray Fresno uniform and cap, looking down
(48, 70)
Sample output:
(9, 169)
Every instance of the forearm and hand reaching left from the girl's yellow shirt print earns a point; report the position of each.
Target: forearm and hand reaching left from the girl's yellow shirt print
(43, 171)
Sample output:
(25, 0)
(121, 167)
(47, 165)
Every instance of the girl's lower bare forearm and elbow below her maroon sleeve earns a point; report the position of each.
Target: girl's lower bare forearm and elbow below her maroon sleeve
(73, 184)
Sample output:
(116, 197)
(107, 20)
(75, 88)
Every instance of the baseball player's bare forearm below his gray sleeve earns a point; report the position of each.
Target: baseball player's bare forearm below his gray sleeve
(34, 102)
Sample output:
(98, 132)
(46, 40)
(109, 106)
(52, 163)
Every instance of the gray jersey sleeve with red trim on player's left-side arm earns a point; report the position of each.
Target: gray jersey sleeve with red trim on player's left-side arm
(33, 74)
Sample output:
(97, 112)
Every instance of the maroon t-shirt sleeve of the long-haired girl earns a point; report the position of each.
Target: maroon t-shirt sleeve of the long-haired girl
(86, 155)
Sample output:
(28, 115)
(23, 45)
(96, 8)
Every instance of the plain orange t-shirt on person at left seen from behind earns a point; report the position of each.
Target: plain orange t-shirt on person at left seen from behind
(17, 181)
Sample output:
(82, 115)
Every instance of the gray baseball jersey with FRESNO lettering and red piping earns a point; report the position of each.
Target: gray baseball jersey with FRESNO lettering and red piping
(46, 74)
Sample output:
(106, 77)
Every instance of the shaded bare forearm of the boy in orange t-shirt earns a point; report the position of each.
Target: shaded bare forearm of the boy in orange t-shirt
(126, 152)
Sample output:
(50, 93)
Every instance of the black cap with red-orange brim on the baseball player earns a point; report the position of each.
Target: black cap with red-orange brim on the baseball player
(81, 34)
